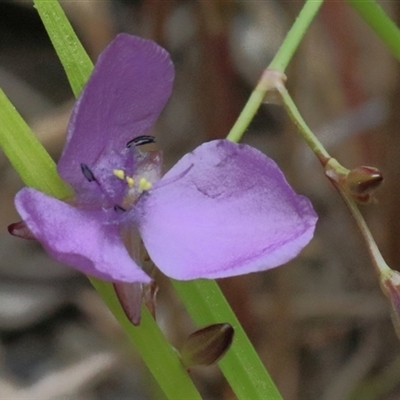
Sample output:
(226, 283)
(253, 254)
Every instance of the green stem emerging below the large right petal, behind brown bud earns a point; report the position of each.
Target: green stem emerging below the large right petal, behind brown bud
(241, 365)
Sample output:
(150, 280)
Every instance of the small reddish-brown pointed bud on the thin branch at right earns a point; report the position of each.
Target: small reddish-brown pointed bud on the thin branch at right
(362, 181)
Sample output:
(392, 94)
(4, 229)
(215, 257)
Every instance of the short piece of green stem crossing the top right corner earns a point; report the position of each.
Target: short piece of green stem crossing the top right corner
(378, 20)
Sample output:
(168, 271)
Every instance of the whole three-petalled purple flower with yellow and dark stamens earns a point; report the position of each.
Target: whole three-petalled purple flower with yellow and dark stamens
(224, 209)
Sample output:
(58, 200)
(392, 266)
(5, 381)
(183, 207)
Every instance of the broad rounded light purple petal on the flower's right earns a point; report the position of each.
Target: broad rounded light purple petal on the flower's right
(223, 210)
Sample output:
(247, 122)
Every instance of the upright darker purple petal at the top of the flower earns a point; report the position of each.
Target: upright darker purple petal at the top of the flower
(129, 86)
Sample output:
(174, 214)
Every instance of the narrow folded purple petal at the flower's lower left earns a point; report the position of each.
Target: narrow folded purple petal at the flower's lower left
(78, 238)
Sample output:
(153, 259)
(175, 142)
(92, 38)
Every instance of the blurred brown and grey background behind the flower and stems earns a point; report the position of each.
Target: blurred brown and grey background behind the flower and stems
(320, 323)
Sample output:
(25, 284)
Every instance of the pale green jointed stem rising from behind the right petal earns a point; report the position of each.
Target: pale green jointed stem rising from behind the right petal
(279, 63)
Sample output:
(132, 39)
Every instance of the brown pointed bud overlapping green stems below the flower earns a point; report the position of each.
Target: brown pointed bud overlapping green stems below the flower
(207, 345)
